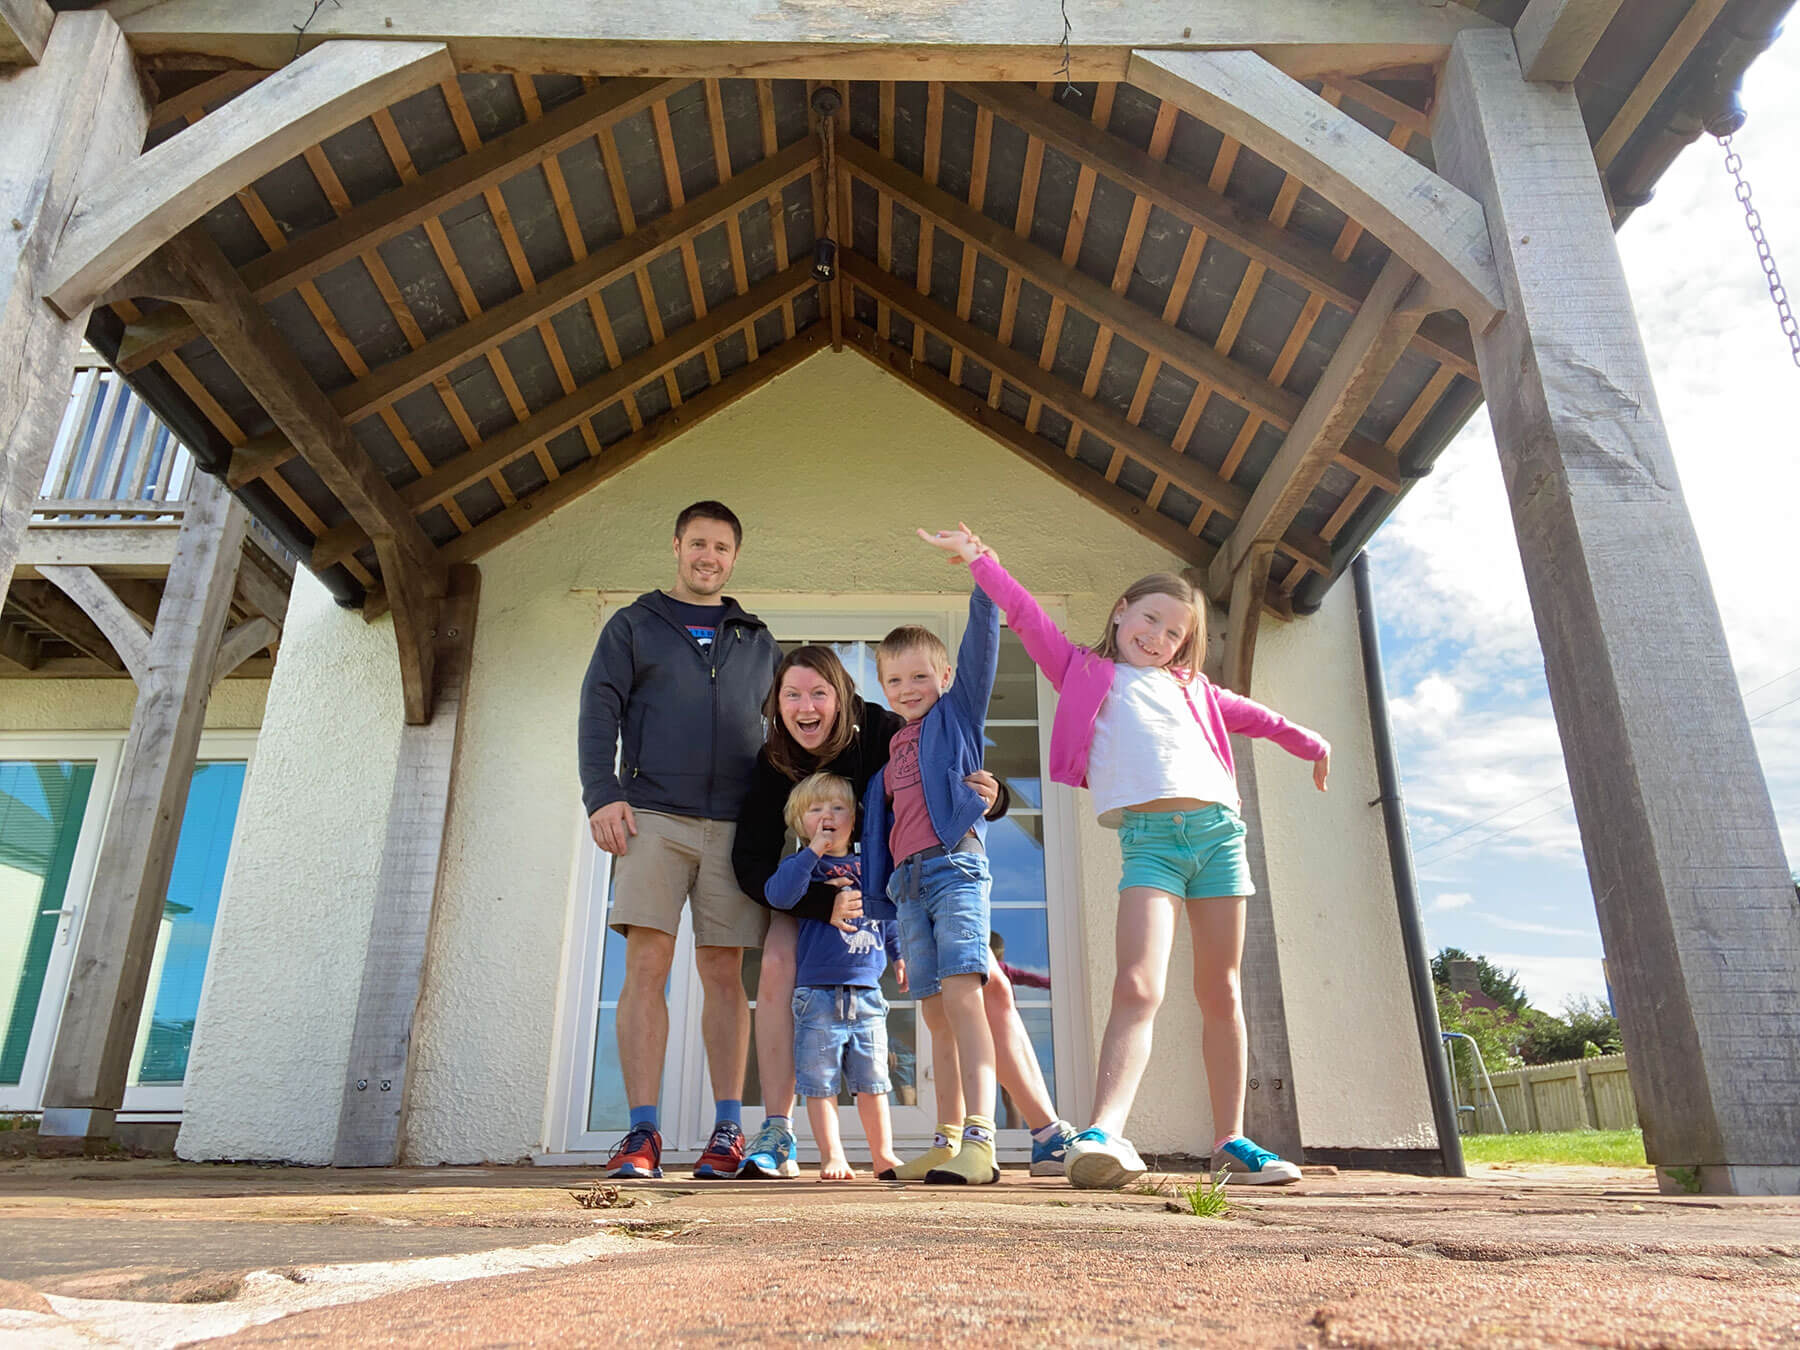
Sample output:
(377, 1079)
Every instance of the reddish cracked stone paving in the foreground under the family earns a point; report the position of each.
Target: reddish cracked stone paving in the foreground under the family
(165, 1254)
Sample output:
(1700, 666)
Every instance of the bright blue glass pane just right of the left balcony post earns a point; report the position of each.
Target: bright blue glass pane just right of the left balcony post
(184, 937)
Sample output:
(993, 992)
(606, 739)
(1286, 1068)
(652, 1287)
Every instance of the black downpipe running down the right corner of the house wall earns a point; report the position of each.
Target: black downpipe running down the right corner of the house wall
(1405, 886)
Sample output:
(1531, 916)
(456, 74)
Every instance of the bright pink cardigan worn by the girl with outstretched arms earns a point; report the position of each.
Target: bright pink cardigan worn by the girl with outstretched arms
(1084, 681)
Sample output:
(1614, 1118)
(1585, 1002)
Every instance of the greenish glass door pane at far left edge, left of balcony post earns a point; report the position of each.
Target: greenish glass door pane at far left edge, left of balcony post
(40, 820)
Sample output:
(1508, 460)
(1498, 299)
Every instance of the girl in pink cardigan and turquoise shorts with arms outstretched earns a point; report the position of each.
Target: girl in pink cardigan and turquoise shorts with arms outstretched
(1149, 737)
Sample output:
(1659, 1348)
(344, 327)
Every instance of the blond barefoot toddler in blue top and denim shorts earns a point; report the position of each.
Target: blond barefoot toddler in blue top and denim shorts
(840, 1012)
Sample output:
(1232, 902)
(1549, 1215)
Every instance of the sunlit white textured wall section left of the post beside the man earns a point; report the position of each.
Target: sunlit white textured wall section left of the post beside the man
(273, 1038)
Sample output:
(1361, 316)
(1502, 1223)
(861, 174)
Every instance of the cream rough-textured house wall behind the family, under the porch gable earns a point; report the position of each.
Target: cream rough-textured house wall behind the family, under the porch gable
(834, 436)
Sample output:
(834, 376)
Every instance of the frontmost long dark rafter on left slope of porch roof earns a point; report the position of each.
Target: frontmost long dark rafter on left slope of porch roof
(390, 215)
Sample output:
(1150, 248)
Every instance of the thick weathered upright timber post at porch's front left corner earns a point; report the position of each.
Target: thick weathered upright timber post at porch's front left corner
(67, 121)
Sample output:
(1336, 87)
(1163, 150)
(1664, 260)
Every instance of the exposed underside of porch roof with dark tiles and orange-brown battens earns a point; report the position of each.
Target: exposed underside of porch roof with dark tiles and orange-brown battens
(516, 285)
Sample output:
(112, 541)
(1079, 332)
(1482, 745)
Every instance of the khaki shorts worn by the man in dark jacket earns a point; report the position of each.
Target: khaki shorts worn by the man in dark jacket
(676, 859)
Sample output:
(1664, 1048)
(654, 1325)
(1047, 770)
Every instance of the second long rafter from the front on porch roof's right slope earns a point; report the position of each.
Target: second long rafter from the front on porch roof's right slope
(1196, 359)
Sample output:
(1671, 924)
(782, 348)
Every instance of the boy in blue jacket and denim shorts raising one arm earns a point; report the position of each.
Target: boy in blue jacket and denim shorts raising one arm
(924, 859)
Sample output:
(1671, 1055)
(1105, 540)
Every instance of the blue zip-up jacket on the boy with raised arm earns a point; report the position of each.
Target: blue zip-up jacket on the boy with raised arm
(951, 746)
